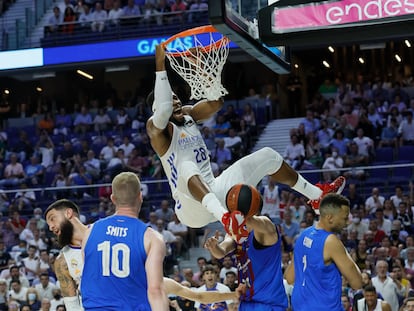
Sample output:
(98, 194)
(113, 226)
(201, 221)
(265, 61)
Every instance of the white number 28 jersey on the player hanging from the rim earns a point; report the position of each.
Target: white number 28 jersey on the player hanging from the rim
(187, 144)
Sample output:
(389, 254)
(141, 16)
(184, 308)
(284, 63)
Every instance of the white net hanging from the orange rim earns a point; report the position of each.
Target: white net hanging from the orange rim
(201, 67)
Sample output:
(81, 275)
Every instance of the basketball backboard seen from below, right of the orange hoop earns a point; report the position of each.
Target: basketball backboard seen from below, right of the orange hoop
(237, 19)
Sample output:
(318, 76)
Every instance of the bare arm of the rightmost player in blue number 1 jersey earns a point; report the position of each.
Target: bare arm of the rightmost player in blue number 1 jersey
(334, 250)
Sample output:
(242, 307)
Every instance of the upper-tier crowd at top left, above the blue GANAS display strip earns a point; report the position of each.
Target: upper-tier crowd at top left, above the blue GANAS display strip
(98, 16)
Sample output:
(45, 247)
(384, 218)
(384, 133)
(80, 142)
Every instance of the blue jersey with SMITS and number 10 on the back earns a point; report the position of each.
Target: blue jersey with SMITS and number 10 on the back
(114, 276)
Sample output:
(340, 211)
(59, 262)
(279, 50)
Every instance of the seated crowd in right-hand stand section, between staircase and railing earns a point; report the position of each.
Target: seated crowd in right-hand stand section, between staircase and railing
(348, 129)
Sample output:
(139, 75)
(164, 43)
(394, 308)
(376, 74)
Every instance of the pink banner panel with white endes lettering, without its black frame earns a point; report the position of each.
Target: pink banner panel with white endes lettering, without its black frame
(325, 14)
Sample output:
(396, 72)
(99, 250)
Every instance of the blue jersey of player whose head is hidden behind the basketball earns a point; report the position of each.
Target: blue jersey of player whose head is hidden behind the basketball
(261, 268)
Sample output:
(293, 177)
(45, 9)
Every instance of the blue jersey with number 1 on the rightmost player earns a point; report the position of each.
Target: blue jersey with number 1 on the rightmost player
(317, 286)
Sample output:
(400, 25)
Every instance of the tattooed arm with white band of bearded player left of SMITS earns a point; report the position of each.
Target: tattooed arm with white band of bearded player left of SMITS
(67, 285)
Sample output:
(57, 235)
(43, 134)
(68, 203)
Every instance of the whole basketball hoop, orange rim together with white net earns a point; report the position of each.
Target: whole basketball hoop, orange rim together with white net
(201, 64)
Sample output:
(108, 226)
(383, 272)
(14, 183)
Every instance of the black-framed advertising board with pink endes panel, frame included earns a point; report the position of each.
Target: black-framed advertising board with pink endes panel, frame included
(304, 23)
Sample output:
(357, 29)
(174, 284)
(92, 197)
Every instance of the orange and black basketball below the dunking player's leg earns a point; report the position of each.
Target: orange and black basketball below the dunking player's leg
(245, 199)
